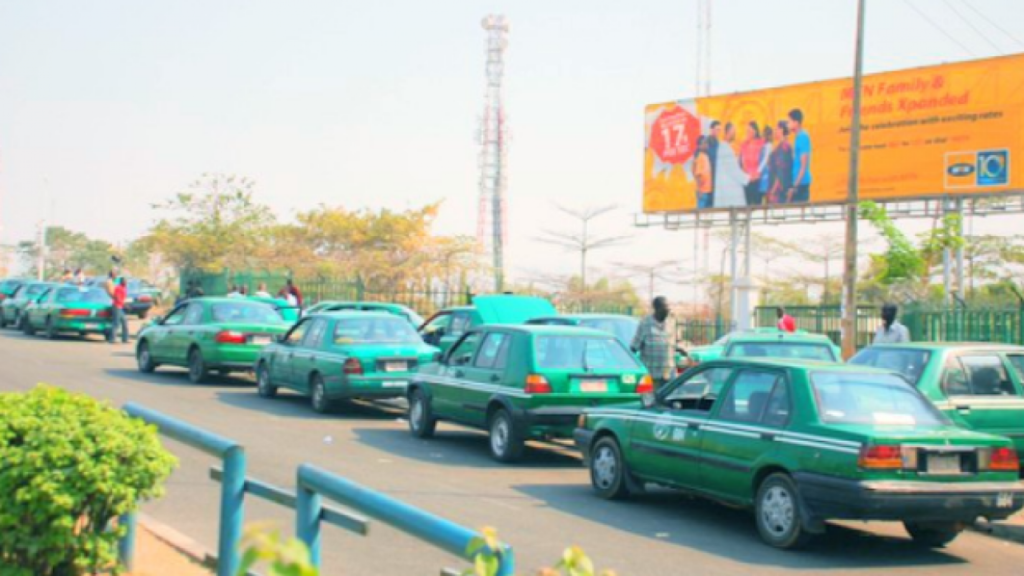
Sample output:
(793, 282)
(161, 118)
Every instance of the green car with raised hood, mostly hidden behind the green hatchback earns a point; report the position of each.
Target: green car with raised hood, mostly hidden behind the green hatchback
(444, 328)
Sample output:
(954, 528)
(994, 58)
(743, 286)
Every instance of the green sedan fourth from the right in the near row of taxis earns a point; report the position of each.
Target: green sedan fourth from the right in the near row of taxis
(209, 335)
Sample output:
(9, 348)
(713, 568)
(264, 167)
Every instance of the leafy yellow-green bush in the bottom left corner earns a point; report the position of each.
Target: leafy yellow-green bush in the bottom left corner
(70, 465)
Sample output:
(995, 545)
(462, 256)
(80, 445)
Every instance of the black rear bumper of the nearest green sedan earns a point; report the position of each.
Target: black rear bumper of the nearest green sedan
(830, 498)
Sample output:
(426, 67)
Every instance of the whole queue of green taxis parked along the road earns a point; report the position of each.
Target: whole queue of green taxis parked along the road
(927, 435)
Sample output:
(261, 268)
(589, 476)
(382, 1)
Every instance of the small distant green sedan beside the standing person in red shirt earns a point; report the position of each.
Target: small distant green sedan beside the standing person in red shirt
(77, 310)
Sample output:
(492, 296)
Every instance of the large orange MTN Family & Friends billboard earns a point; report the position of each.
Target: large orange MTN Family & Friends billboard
(954, 130)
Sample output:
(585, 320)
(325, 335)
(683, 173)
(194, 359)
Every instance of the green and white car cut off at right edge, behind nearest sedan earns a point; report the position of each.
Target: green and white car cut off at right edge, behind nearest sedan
(978, 386)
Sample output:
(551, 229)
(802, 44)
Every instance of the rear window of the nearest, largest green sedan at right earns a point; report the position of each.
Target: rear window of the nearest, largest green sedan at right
(879, 400)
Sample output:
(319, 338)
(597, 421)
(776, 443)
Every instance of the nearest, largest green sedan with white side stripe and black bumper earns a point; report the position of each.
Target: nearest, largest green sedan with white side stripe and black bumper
(801, 443)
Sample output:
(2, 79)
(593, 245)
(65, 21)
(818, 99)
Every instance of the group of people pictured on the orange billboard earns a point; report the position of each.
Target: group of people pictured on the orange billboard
(765, 169)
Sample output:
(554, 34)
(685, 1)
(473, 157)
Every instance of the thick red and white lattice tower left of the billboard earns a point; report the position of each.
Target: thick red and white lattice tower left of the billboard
(491, 223)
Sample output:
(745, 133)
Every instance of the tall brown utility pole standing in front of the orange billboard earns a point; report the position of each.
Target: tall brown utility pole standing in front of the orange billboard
(850, 269)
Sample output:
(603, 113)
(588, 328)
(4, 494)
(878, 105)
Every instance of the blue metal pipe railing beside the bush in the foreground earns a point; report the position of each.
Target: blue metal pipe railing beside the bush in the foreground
(313, 484)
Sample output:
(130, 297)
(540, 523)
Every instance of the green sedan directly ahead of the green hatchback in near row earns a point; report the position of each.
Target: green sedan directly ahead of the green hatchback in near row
(343, 356)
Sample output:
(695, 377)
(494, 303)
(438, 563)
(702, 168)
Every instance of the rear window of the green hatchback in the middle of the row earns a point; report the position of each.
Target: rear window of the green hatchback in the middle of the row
(583, 354)
